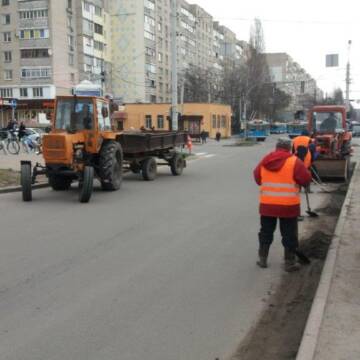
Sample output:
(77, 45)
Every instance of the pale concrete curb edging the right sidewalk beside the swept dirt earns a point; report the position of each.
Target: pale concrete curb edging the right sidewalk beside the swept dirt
(311, 333)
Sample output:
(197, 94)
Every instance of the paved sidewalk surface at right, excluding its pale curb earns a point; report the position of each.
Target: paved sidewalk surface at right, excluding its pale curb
(339, 336)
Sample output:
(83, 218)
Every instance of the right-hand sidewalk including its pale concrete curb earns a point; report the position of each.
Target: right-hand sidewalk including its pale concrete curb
(333, 328)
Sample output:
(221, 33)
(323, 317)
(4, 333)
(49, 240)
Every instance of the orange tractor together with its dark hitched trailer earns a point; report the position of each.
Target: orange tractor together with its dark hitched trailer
(82, 145)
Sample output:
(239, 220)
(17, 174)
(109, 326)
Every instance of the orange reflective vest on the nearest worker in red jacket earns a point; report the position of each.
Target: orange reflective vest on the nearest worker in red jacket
(279, 187)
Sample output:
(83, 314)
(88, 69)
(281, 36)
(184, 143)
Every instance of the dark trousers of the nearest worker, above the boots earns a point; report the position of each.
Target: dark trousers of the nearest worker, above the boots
(288, 230)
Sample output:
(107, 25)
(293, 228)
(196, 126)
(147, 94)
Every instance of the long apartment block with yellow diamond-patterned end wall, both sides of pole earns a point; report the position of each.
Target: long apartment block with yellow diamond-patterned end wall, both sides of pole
(141, 37)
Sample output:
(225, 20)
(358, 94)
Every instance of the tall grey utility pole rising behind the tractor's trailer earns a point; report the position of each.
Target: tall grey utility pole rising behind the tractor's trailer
(174, 78)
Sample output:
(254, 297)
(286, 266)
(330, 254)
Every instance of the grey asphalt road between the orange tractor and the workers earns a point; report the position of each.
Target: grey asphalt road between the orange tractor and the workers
(161, 270)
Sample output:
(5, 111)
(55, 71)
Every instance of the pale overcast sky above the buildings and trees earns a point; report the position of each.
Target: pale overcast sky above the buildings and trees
(307, 30)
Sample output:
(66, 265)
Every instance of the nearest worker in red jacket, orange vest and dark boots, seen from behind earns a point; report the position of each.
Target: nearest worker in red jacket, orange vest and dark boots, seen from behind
(280, 175)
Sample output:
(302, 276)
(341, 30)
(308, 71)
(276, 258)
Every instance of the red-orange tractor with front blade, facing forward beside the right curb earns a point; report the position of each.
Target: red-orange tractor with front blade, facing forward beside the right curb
(328, 127)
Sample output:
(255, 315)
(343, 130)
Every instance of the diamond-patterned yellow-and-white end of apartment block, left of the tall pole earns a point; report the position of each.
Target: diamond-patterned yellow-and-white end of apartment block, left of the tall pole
(141, 50)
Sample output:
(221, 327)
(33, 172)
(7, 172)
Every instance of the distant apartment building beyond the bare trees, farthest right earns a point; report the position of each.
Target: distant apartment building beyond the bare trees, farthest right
(291, 78)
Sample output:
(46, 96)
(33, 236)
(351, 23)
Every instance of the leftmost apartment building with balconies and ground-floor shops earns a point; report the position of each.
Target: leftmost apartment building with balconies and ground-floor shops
(46, 48)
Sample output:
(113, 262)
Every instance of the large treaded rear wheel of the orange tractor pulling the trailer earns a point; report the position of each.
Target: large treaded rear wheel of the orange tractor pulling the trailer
(110, 166)
